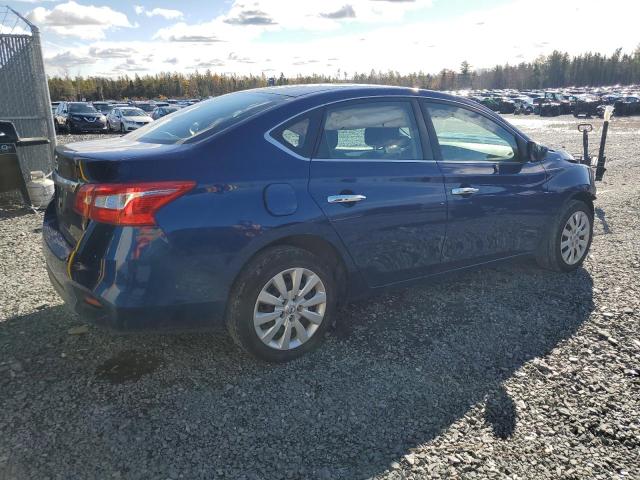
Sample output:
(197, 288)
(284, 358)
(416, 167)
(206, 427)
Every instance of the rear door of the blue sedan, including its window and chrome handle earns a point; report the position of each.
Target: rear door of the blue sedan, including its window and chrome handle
(374, 178)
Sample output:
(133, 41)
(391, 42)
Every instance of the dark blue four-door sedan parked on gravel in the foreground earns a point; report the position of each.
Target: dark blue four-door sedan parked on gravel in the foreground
(268, 208)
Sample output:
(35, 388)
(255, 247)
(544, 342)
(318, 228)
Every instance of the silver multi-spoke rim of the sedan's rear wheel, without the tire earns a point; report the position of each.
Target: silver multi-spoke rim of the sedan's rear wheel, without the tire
(290, 308)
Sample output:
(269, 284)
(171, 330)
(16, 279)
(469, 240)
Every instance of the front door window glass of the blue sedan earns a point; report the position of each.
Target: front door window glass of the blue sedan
(464, 135)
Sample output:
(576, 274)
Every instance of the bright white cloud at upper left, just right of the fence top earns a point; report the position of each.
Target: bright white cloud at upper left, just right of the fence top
(83, 21)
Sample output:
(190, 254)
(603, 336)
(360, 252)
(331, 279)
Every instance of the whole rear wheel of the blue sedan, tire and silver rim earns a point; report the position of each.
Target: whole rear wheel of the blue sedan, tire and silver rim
(282, 304)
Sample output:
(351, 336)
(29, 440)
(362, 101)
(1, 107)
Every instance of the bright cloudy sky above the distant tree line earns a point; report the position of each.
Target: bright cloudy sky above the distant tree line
(334, 37)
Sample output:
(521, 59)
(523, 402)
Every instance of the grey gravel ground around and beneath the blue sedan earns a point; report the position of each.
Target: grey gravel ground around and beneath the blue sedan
(507, 372)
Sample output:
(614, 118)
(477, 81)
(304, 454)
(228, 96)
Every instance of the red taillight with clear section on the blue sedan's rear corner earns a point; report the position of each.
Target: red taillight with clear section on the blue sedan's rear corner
(127, 203)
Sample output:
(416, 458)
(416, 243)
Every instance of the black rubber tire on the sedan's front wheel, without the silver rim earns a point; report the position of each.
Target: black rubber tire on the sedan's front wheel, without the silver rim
(549, 254)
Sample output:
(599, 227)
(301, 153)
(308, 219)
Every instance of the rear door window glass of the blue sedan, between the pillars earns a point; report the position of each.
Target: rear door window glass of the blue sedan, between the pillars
(370, 131)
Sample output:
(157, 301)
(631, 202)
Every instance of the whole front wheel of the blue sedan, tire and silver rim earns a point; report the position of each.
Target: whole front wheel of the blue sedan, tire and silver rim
(568, 242)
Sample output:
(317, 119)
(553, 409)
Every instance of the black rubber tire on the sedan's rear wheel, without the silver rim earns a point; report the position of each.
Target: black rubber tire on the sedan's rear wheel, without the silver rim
(256, 275)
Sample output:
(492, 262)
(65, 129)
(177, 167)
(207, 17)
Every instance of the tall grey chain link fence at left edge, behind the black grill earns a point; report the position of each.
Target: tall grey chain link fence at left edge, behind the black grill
(24, 92)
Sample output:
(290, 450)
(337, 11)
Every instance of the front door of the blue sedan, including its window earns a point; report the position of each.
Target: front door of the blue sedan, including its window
(497, 203)
